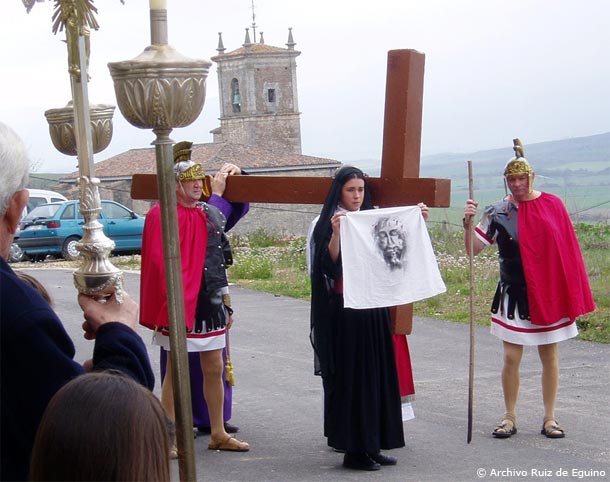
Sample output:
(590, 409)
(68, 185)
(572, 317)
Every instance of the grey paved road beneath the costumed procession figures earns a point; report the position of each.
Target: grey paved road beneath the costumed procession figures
(277, 402)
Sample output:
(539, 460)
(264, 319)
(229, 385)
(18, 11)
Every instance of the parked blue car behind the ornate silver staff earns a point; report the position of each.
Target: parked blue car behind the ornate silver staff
(55, 228)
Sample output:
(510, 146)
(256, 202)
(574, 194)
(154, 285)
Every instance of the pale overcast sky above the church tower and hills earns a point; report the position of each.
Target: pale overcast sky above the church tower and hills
(495, 69)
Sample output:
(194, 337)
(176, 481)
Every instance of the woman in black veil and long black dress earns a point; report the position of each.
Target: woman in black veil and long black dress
(354, 352)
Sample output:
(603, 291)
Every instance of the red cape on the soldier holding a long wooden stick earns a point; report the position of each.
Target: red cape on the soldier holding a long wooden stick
(557, 282)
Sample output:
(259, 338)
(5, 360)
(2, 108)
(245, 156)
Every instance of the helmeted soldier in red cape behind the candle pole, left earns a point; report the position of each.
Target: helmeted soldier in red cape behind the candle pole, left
(207, 305)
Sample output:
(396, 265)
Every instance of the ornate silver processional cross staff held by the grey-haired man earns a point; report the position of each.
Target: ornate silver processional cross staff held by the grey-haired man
(96, 274)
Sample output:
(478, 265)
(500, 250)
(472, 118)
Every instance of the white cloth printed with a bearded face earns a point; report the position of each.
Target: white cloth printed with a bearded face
(388, 258)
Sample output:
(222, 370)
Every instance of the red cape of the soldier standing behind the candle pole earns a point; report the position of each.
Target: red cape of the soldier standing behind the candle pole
(192, 227)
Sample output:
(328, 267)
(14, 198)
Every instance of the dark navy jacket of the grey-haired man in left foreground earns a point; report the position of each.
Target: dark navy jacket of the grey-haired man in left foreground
(37, 360)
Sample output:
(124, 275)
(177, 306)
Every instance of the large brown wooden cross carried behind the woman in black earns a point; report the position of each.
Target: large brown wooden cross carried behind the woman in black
(399, 183)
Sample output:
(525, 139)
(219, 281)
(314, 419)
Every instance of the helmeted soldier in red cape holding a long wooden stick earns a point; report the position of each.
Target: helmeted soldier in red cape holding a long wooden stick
(543, 284)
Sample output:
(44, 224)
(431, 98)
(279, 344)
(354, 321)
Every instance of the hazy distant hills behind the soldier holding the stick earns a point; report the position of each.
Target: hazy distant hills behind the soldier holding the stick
(577, 170)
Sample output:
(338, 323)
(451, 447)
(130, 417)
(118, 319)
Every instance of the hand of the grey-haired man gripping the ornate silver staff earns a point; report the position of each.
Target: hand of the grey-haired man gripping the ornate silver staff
(99, 312)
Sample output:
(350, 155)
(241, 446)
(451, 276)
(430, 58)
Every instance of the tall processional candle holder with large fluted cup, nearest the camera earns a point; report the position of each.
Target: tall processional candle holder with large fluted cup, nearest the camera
(160, 90)
